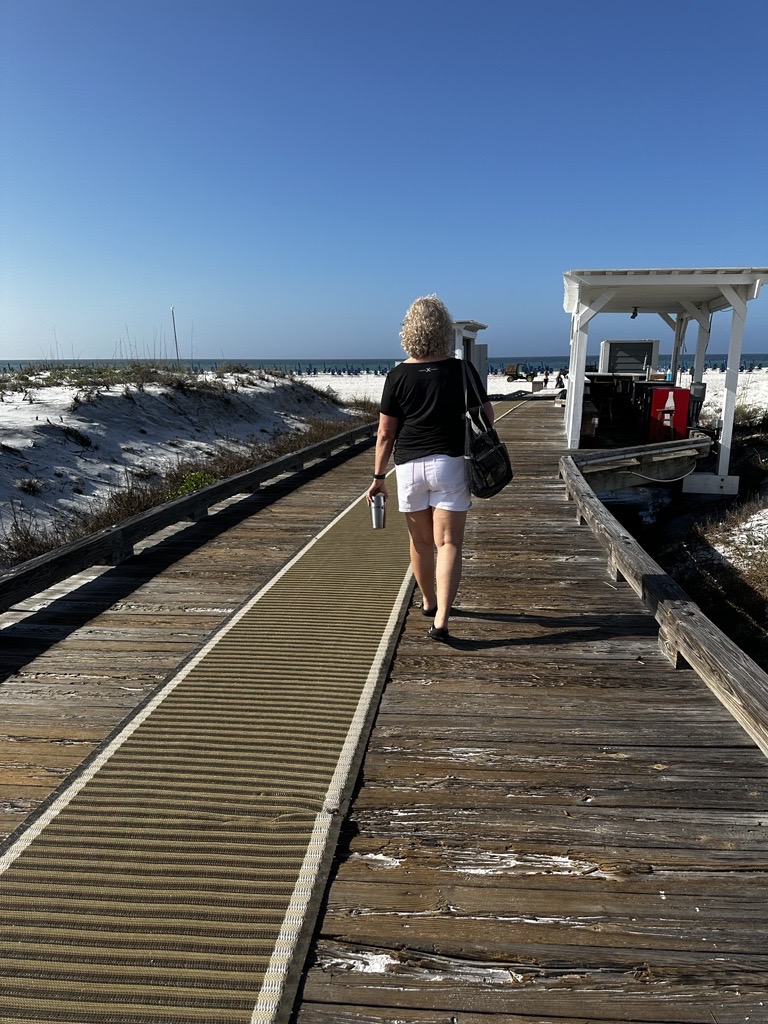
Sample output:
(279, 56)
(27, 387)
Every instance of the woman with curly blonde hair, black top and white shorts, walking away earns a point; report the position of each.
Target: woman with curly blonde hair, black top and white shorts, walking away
(422, 421)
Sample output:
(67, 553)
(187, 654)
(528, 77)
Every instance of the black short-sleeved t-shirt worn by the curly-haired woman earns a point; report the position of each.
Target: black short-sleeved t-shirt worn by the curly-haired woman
(429, 401)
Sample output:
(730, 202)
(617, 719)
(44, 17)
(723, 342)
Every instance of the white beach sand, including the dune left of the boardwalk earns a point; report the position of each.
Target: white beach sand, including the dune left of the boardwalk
(60, 447)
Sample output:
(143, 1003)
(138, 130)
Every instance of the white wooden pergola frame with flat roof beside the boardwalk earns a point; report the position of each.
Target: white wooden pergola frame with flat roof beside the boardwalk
(678, 297)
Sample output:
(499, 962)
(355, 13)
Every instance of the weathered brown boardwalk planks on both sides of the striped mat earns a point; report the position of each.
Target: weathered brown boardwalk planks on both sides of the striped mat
(552, 824)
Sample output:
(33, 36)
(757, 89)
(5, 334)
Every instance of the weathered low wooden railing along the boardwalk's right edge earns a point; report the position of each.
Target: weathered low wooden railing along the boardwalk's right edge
(687, 636)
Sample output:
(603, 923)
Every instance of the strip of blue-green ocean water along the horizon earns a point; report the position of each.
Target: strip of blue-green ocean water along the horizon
(497, 364)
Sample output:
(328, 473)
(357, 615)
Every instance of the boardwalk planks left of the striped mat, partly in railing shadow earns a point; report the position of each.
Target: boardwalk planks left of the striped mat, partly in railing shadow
(77, 660)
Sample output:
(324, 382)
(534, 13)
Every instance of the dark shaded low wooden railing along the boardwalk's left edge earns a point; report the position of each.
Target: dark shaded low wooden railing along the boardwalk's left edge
(111, 546)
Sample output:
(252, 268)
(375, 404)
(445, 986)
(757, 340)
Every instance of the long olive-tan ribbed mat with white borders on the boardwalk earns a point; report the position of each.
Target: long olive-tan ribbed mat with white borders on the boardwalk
(170, 878)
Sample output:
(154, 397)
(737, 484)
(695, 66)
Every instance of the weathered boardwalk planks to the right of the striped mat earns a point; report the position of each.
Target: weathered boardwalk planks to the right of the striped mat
(553, 824)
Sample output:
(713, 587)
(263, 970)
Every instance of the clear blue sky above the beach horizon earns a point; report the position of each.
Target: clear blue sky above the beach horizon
(290, 176)
